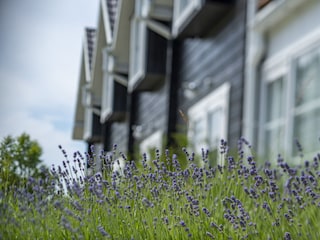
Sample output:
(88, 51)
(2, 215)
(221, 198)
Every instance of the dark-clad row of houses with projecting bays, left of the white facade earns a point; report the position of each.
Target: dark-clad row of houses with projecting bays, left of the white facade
(164, 67)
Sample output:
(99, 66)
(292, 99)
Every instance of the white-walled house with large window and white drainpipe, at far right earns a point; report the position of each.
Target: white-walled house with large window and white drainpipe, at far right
(282, 98)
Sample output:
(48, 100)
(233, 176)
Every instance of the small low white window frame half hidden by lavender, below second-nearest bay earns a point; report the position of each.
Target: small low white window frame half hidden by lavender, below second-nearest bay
(151, 142)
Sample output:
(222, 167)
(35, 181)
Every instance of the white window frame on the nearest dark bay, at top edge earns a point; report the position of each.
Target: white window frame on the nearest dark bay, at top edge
(179, 18)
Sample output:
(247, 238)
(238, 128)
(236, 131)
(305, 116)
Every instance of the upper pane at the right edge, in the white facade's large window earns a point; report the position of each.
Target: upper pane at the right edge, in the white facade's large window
(307, 78)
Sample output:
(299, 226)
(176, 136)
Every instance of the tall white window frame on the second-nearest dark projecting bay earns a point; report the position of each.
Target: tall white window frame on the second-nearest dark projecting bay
(138, 41)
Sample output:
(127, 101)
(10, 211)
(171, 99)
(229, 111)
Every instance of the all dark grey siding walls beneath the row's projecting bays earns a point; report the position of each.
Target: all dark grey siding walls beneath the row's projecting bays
(219, 55)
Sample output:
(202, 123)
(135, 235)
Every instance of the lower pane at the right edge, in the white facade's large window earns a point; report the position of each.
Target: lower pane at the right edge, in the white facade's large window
(306, 130)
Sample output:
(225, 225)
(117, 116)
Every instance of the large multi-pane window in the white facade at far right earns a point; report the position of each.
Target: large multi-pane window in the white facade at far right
(291, 105)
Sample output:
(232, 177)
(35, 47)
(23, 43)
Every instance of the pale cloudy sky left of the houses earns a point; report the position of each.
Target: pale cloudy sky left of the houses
(40, 49)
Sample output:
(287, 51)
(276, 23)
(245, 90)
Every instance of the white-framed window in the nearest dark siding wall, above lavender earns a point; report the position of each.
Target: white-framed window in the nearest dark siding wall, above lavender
(208, 120)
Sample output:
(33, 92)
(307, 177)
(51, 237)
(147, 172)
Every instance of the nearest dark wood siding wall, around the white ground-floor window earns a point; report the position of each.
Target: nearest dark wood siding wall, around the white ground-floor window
(219, 56)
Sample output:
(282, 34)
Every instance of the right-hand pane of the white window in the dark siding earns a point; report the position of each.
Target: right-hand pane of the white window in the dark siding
(214, 128)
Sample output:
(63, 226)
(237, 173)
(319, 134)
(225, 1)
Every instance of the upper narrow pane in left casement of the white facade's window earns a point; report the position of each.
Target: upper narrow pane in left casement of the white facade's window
(275, 100)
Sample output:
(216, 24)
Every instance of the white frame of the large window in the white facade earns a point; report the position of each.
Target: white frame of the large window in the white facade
(285, 63)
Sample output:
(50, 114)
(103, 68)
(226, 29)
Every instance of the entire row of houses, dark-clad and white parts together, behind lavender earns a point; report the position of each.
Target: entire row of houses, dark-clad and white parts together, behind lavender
(205, 69)
